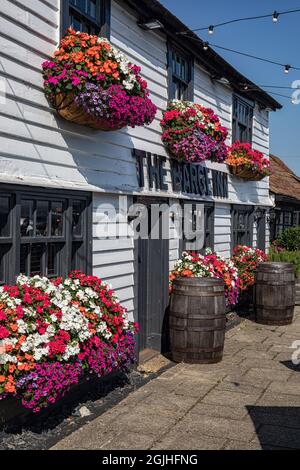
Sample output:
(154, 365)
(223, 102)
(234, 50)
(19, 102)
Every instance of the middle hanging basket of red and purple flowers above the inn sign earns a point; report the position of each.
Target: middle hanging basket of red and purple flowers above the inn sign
(193, 133)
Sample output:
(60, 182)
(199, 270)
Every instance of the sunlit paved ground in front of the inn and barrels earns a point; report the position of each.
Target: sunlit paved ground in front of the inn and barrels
(251, 400)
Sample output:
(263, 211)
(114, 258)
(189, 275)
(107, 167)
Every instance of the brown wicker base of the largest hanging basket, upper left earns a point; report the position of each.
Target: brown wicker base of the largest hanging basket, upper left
(69, 110)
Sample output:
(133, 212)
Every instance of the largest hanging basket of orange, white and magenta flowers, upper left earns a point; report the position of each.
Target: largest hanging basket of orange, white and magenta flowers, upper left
(91, 83)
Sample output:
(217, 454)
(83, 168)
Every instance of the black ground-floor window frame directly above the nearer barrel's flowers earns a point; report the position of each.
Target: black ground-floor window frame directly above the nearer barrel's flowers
(209, 226)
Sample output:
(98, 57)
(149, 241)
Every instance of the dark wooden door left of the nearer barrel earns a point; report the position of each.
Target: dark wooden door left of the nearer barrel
(153, 281)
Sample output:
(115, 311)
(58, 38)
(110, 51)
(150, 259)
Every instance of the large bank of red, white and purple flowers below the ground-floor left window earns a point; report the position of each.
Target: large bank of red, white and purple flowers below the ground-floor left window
(53, 332)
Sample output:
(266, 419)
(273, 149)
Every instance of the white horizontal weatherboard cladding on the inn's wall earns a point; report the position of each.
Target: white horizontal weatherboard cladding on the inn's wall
(40, 149)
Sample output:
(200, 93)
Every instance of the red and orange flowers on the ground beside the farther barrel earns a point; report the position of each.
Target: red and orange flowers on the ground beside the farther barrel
(246, 260)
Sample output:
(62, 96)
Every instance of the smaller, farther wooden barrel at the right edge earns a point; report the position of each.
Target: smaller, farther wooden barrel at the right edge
(274, 293)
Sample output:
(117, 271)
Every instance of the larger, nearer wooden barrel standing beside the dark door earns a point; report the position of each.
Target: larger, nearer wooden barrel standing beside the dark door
(197, 320)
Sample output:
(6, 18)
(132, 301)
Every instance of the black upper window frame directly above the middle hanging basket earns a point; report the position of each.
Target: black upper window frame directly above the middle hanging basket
(188, 82)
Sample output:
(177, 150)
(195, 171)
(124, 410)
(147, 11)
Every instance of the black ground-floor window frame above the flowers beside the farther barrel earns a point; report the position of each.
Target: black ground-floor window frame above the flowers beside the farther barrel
(242, 236)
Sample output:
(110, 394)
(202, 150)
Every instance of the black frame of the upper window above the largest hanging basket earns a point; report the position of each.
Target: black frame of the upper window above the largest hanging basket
(101, 24)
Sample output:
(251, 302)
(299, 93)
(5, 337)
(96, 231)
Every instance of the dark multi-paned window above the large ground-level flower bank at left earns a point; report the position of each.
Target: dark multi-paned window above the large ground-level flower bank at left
(43, 233)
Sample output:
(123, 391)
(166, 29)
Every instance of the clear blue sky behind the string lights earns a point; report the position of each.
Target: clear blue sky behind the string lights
(278, 42)
